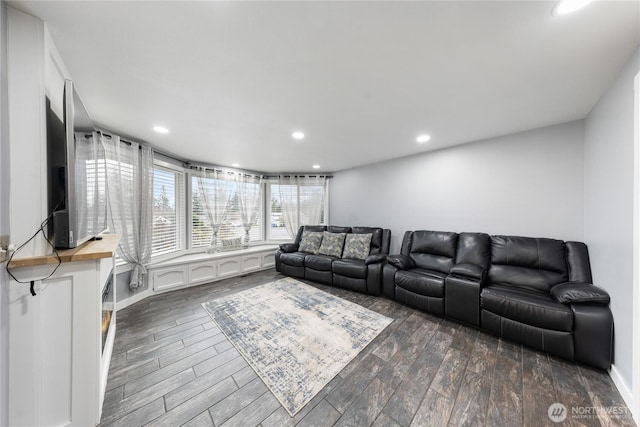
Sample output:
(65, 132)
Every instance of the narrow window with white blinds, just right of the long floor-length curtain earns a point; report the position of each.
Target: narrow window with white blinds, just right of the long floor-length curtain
(168, 211)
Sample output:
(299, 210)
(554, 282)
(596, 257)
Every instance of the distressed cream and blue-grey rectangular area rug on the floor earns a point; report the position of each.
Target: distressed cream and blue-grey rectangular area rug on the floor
(296, 337)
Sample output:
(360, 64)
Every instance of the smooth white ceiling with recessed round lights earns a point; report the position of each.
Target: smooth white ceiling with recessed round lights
(232, 80)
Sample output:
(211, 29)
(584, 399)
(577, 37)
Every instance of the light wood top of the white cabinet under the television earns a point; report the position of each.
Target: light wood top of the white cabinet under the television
(95, 249)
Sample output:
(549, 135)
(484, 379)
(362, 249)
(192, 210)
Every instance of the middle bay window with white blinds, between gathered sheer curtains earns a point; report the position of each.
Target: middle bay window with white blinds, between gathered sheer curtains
(224, 200)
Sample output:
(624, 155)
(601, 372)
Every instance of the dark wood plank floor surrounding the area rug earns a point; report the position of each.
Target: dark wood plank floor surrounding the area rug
(172, 366)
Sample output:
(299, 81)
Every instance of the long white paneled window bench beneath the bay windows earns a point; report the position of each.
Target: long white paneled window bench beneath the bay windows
(195, 269)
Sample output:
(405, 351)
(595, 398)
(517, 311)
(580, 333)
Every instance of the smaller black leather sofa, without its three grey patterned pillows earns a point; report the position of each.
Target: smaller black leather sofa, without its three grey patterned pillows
(362, 275)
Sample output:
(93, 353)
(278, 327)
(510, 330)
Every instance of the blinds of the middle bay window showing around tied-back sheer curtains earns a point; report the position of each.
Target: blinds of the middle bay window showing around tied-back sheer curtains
(231, 228)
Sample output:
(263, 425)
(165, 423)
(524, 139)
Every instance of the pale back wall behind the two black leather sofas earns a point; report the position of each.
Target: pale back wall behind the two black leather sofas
(528, 184)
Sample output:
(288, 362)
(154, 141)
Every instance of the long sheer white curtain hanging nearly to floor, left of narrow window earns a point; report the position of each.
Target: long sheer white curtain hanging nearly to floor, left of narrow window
(130, 202)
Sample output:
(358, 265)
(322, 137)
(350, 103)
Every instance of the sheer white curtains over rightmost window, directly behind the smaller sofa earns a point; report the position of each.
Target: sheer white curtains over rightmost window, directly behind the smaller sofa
(302, 200)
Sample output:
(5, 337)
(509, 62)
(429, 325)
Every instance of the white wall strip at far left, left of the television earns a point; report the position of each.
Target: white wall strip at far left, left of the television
(27, 130)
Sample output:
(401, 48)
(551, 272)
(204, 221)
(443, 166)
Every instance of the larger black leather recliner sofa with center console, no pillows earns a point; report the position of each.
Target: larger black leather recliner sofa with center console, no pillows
(535, 291)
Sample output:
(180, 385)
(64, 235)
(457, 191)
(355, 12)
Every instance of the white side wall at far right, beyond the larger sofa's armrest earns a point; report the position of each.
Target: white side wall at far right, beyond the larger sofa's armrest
(609, 172)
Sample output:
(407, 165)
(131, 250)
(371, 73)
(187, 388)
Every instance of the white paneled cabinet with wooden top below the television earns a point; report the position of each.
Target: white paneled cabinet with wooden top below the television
(60, 340)
